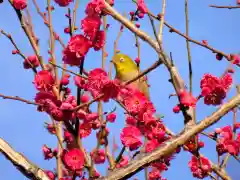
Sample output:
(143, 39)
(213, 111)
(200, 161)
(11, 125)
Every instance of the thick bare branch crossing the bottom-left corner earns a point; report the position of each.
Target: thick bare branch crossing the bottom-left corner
(26, 167)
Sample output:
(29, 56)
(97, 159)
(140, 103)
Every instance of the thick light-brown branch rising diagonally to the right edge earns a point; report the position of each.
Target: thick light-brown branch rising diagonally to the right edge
(170, 146)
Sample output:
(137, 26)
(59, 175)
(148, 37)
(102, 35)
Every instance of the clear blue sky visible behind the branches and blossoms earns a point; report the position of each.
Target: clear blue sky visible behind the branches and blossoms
(22, 126)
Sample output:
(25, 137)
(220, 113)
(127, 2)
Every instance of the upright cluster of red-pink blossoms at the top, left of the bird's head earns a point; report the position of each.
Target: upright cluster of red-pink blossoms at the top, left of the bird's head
(92, 36)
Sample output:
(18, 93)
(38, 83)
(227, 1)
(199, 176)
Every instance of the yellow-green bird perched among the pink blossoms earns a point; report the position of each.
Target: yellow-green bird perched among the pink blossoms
(127, 69)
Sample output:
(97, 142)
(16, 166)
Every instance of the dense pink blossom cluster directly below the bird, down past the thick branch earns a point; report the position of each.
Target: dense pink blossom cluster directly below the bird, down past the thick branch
(141, 122)
